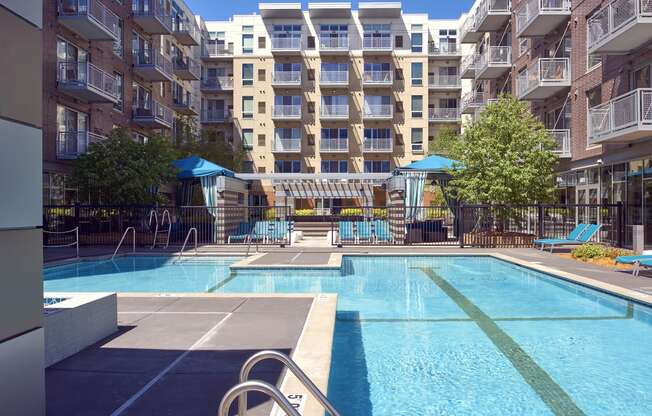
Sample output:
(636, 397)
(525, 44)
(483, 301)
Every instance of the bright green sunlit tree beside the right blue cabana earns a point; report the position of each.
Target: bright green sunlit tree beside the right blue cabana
(506, 157)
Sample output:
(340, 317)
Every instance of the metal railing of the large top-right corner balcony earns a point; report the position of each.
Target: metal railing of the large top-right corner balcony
(611, 18)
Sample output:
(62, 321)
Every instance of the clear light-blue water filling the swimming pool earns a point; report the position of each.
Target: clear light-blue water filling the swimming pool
(440, 335)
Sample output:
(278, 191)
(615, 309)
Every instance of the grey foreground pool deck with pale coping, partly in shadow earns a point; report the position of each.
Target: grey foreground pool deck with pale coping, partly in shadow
(179, 354)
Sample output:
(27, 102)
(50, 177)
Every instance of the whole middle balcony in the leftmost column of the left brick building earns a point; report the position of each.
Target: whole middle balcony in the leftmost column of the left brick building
(86, 82)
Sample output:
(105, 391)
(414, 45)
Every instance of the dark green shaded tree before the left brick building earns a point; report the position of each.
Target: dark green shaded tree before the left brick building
(120, 170)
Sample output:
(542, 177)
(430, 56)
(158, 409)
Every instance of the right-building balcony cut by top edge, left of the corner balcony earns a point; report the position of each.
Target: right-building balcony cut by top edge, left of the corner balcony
(540, 17)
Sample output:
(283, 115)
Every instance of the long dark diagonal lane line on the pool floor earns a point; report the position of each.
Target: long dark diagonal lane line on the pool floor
(548, 390)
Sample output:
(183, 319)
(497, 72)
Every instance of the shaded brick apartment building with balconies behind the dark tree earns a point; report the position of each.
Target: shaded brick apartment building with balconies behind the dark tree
(113, 63)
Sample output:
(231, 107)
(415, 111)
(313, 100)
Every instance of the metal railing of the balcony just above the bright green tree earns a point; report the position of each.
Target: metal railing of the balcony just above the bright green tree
(544, 72)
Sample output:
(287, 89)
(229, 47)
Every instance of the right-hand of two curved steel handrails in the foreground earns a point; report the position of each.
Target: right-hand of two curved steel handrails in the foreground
(293, 367)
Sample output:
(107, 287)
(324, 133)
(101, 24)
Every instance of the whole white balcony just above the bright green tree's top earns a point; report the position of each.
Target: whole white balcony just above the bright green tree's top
(544, 79)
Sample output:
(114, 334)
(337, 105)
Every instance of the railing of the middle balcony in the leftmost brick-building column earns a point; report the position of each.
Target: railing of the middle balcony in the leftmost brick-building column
(88, 75)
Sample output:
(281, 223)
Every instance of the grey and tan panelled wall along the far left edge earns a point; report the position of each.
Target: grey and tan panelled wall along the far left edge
(22, 351)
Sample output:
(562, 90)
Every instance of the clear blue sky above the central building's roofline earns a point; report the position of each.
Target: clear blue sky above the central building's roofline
(223, 9)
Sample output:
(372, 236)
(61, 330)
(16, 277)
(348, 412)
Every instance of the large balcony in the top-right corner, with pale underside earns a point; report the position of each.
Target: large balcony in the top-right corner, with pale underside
(620, 27)
